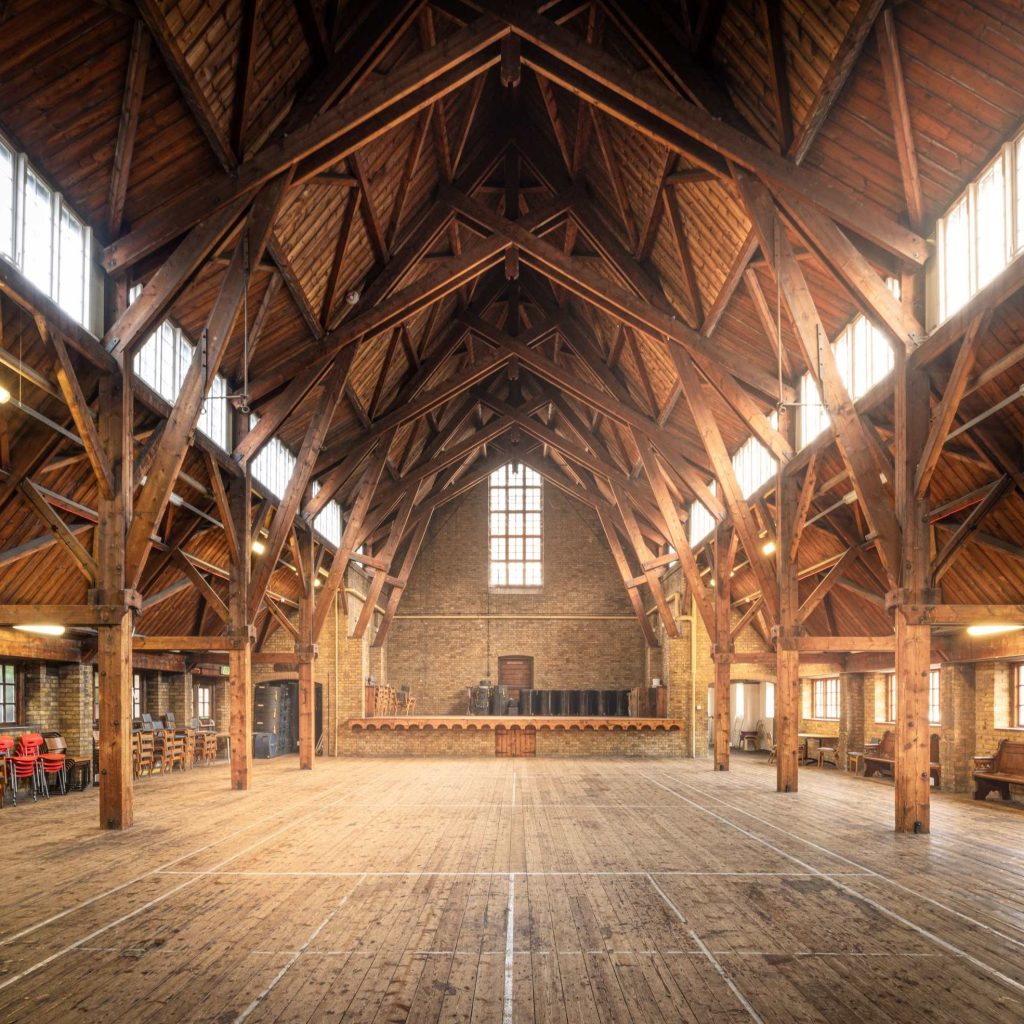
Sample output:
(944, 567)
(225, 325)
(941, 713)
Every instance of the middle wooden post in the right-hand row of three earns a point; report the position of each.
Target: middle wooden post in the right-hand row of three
(790, 505)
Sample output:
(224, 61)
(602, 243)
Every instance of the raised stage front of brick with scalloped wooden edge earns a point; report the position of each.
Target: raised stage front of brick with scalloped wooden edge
(514, 736)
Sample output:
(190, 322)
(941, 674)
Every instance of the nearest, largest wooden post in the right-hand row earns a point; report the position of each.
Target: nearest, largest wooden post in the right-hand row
(914, 639)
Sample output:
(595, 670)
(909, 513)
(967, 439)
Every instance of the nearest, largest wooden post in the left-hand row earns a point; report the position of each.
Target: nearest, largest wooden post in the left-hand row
(114, 642)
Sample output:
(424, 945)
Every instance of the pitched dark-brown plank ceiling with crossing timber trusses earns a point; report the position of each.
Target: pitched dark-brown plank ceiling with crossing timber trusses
(546, 238)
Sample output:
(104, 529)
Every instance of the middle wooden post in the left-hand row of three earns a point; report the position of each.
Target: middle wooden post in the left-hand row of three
(240, 657)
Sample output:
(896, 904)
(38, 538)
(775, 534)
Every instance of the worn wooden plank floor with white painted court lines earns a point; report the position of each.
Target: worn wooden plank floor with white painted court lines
(511, 891)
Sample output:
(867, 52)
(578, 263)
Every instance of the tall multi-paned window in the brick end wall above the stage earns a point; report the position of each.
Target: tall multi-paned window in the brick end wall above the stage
(516, 538)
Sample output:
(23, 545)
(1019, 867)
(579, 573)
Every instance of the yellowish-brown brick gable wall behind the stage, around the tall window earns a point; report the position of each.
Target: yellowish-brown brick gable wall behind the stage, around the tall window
(440, 658)
